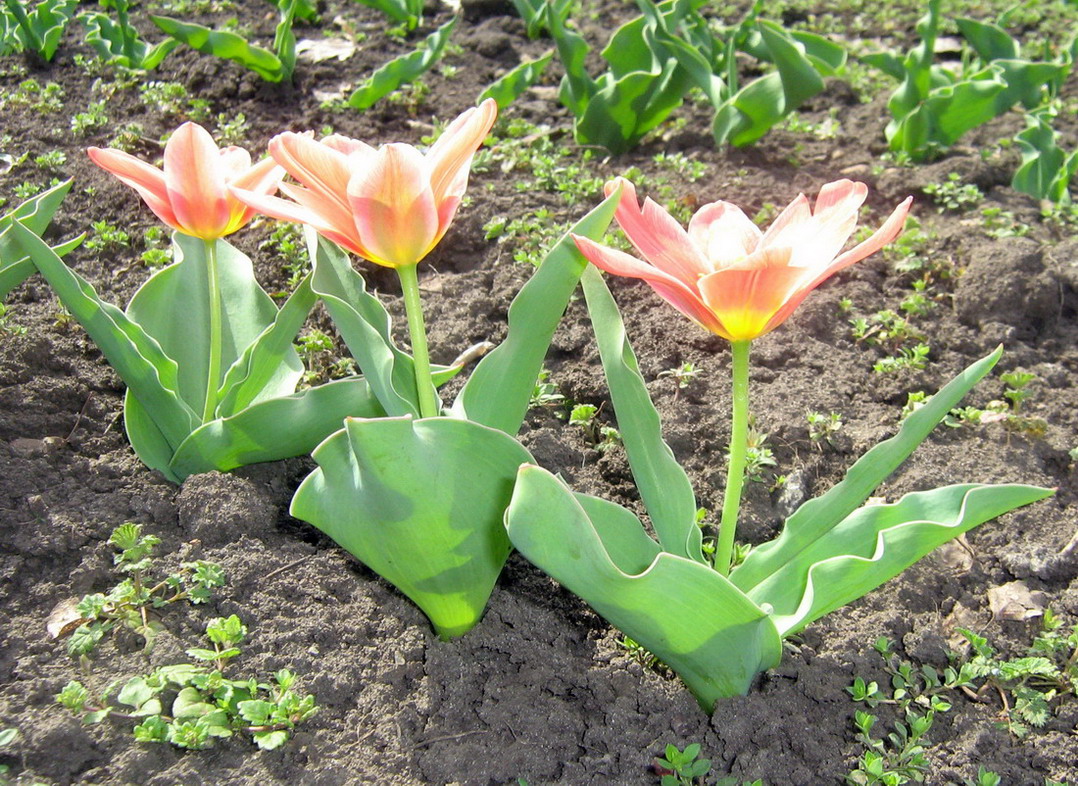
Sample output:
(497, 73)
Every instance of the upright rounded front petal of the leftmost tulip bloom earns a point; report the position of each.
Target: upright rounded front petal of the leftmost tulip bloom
(196, 182)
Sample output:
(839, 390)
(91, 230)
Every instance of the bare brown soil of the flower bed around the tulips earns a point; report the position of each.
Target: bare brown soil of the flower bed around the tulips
(542, 691)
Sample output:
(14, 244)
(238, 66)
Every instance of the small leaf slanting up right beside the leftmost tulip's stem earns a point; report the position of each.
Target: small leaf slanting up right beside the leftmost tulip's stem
(270, 366)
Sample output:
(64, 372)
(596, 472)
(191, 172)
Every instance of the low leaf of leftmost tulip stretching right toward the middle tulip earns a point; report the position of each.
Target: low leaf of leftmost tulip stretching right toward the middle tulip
(275, 429)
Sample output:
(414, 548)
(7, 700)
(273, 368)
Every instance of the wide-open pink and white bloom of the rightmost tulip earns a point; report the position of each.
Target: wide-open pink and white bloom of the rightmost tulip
(728, 277)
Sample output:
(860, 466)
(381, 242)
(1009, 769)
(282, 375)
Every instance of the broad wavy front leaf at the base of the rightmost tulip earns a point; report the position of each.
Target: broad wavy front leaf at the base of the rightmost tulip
(685, 613)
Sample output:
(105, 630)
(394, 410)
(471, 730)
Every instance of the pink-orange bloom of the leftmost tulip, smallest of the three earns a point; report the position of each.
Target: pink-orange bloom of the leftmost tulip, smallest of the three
(192, 196)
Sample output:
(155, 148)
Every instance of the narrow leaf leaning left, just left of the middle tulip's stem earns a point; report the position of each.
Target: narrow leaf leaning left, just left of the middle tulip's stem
(365, 325)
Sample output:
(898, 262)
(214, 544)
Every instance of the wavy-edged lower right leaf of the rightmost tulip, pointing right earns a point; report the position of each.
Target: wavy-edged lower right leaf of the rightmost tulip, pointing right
(876, 544)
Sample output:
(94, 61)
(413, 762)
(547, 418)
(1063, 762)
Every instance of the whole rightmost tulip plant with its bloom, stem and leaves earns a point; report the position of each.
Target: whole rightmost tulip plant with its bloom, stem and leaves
(716, 627)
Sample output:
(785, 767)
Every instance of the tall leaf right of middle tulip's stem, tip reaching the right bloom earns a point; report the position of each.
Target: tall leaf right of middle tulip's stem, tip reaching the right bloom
(499, 392)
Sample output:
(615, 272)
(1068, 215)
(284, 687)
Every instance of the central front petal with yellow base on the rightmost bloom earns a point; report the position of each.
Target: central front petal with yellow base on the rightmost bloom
(748, 299)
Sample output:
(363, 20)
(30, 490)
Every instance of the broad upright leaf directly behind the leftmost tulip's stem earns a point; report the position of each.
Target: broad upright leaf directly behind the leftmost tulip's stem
(184, 334)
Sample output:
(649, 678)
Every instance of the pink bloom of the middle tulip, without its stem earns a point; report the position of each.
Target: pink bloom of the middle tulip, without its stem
(391, 205)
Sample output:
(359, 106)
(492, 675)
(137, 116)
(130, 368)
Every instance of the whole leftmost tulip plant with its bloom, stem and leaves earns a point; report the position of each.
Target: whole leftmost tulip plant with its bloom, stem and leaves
(208, 356)
